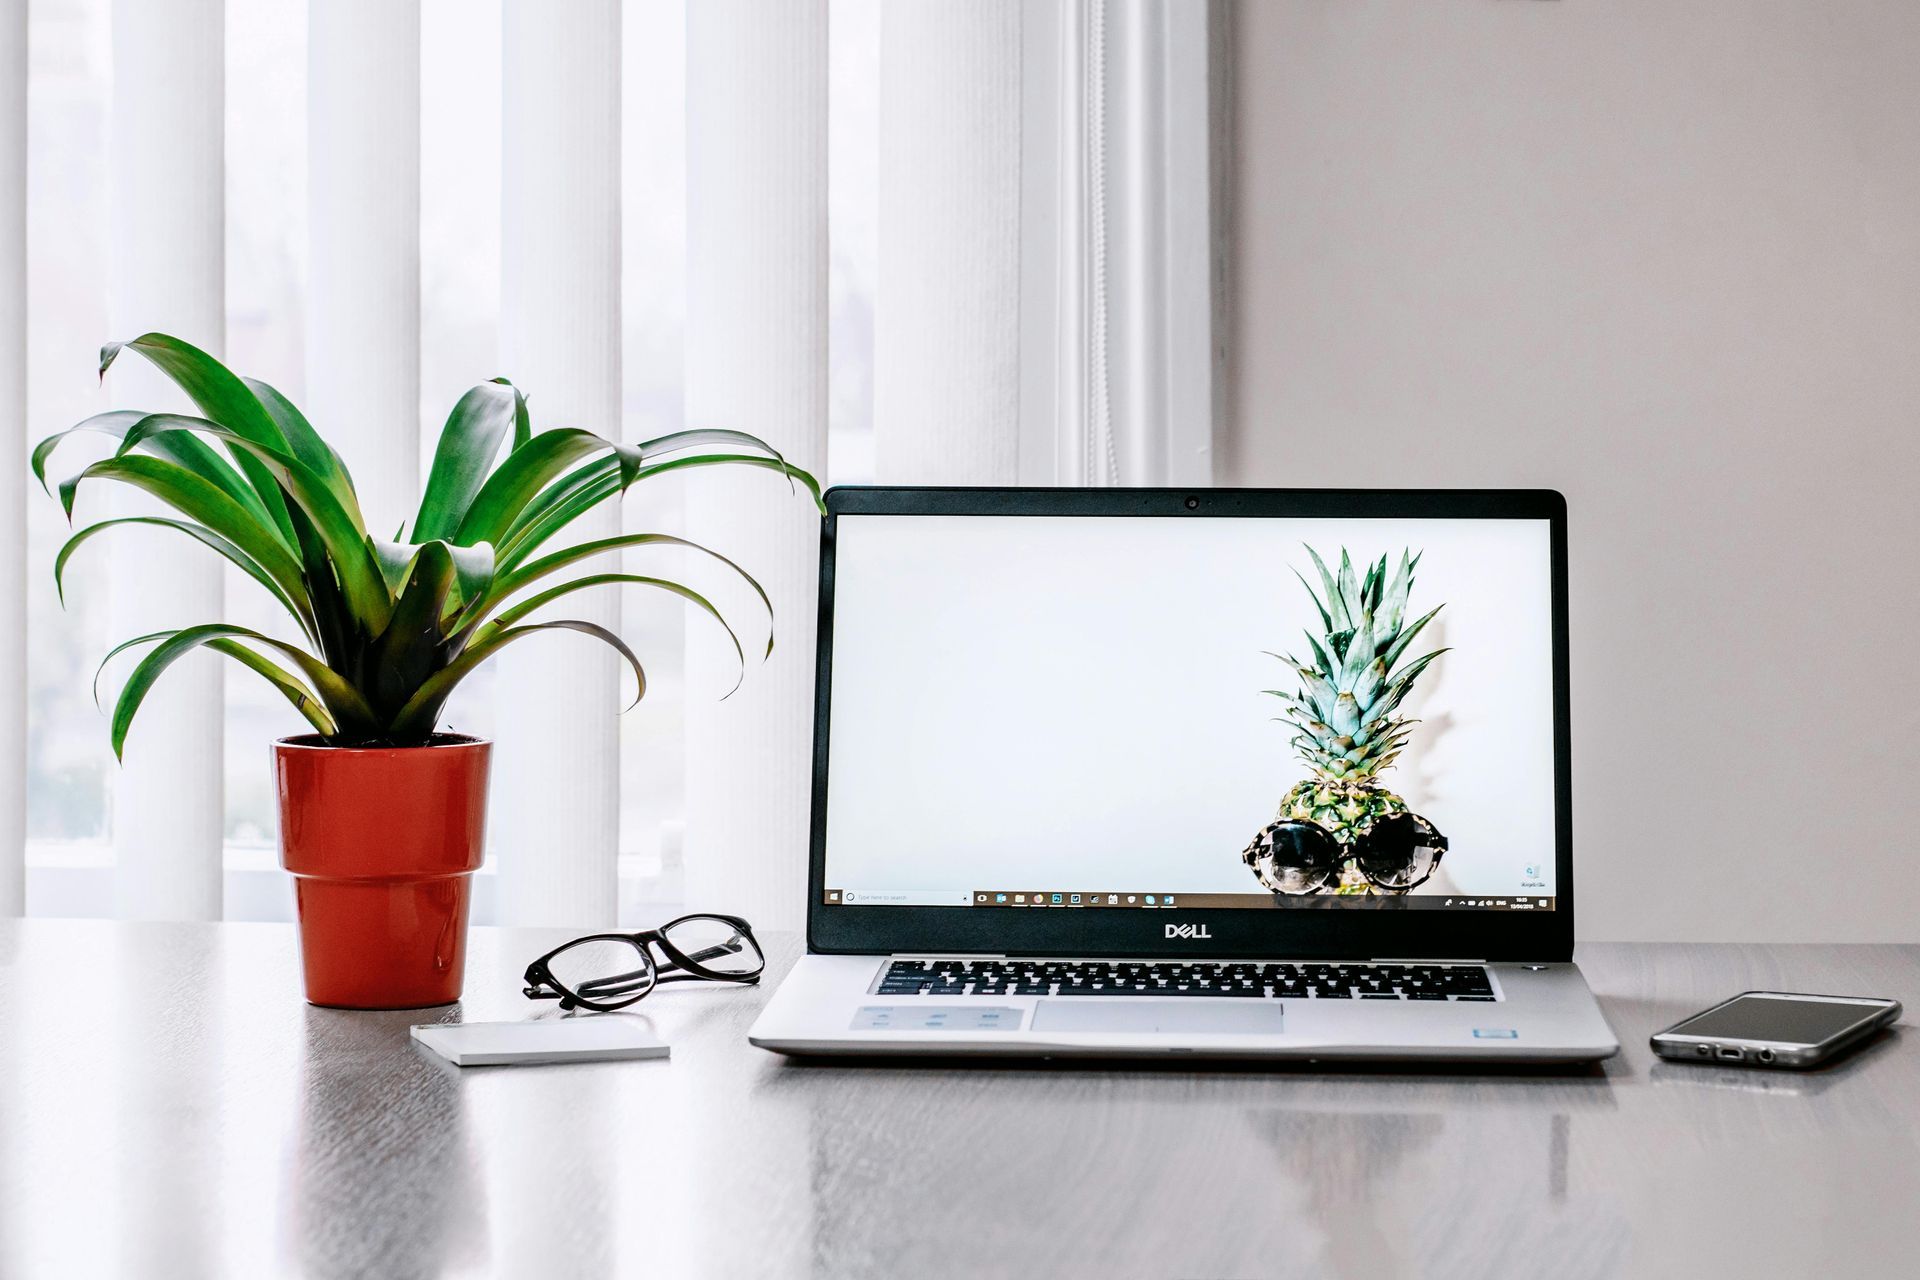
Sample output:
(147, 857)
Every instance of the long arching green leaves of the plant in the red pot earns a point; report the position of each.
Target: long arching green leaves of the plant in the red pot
(391, 627)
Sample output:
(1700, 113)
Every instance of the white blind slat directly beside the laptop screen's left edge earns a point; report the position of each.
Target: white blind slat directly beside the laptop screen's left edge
(757, 358)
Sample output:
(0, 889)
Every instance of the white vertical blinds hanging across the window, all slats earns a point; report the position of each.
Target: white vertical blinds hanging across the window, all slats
(976, 118)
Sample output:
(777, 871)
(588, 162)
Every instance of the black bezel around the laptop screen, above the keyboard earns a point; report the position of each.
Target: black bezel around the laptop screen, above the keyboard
(1266, 934)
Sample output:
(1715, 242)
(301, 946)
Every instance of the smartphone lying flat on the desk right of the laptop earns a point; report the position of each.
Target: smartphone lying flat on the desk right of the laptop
(1775, 1030)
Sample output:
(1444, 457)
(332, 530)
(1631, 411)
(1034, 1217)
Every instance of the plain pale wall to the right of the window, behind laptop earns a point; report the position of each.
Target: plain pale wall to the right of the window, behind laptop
(1668, 260)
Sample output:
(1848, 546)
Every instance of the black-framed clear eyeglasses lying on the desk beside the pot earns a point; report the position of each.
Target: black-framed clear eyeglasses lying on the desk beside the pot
(608, 972)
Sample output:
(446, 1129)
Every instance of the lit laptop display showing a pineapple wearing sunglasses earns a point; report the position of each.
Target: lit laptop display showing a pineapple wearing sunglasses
(1128, 713)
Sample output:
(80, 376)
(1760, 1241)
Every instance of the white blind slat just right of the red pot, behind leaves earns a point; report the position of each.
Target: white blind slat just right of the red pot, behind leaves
(558, 755)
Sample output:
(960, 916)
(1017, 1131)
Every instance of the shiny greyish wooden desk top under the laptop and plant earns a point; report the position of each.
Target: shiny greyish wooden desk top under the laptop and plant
(174, 1110)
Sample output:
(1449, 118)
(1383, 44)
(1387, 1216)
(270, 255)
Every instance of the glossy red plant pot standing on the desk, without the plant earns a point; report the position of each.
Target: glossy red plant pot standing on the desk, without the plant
(383, 843)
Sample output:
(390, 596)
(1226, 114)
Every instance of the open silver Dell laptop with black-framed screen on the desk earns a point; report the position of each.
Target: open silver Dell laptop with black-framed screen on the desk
(1251, 774)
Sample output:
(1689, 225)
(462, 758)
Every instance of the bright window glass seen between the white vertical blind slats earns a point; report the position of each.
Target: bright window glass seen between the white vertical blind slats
(70, 91)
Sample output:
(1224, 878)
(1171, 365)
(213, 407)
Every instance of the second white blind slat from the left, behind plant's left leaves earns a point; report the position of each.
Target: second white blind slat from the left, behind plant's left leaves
(168, 187)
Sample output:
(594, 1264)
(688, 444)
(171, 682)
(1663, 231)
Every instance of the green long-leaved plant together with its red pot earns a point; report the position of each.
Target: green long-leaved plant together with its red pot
(381, 815)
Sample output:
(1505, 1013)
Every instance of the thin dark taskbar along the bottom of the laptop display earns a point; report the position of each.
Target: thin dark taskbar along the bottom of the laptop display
(1107, 901)
